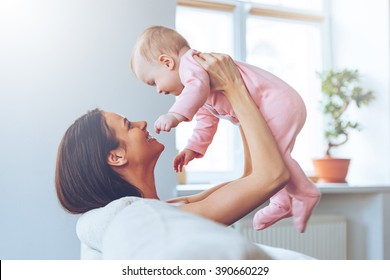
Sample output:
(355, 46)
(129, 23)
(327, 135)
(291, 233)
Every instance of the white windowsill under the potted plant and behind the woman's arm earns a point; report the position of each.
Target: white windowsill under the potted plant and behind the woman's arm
(189, 189)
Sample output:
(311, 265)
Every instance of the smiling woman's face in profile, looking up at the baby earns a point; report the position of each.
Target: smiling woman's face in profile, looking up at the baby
(140, 146)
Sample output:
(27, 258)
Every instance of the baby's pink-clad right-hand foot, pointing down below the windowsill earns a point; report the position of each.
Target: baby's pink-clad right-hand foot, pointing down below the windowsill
(302, 207)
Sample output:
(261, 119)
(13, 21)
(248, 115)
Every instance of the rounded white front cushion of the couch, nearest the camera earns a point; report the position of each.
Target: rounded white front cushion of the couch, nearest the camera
(152, 229)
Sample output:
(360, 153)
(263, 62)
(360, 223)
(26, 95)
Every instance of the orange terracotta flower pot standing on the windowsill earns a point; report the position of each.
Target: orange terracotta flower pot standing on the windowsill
(331, 170)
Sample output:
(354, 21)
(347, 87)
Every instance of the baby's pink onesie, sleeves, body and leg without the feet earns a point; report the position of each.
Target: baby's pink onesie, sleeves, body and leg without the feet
(281, 106)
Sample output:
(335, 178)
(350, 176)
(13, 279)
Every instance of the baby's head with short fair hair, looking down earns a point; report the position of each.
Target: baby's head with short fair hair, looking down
(155, 58)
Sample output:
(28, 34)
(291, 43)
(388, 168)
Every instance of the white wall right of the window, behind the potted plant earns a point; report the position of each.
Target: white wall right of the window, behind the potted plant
(360, 40)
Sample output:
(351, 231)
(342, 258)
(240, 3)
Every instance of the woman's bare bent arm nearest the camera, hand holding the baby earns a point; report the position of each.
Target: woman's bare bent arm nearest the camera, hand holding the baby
(230, 202)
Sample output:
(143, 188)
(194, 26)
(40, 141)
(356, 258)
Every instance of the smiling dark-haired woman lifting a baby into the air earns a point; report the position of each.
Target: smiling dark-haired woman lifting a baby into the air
(104, 157)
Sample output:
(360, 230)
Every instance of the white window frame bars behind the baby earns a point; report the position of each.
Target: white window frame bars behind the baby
(241, 10)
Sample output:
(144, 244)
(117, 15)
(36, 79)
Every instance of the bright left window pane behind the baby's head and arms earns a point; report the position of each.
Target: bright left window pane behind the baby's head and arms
(195, 25)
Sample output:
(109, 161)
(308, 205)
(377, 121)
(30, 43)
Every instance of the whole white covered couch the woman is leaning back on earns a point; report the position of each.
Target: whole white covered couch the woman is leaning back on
(135, 228)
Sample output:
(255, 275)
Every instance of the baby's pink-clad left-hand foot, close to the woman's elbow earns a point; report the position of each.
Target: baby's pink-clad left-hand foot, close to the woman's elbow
(269, 215)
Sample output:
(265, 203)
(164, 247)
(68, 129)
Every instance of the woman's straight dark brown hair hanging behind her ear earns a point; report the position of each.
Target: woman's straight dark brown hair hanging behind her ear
(83, 178)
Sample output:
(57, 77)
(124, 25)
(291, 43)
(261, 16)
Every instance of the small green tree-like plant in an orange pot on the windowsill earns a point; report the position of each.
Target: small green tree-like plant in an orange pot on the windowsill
(341, 90)
